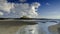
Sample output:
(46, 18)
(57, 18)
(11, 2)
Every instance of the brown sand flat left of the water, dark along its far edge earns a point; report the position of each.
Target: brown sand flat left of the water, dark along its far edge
(11, 27)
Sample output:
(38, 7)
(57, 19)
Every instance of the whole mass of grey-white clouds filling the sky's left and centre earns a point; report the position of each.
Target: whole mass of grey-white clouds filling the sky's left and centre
(12, 10)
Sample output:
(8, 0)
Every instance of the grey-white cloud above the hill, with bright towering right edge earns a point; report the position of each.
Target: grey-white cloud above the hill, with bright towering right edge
(25, 9)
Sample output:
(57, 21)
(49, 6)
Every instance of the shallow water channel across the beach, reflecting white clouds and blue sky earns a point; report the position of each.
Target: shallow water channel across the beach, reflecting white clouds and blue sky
(40, 28)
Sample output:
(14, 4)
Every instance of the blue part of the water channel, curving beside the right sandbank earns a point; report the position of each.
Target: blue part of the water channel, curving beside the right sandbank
(44, 26)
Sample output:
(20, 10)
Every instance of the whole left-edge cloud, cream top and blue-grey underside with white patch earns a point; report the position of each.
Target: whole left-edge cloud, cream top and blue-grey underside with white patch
(5, 8)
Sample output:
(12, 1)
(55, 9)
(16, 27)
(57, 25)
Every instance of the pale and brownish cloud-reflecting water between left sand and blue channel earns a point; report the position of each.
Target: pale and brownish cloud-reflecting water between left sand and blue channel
(28, 29)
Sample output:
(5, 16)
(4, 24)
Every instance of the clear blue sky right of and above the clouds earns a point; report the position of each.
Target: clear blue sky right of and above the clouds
(47, 8)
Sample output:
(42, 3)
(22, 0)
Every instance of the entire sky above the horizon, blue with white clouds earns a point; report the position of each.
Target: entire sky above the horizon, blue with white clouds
(30, 8)
